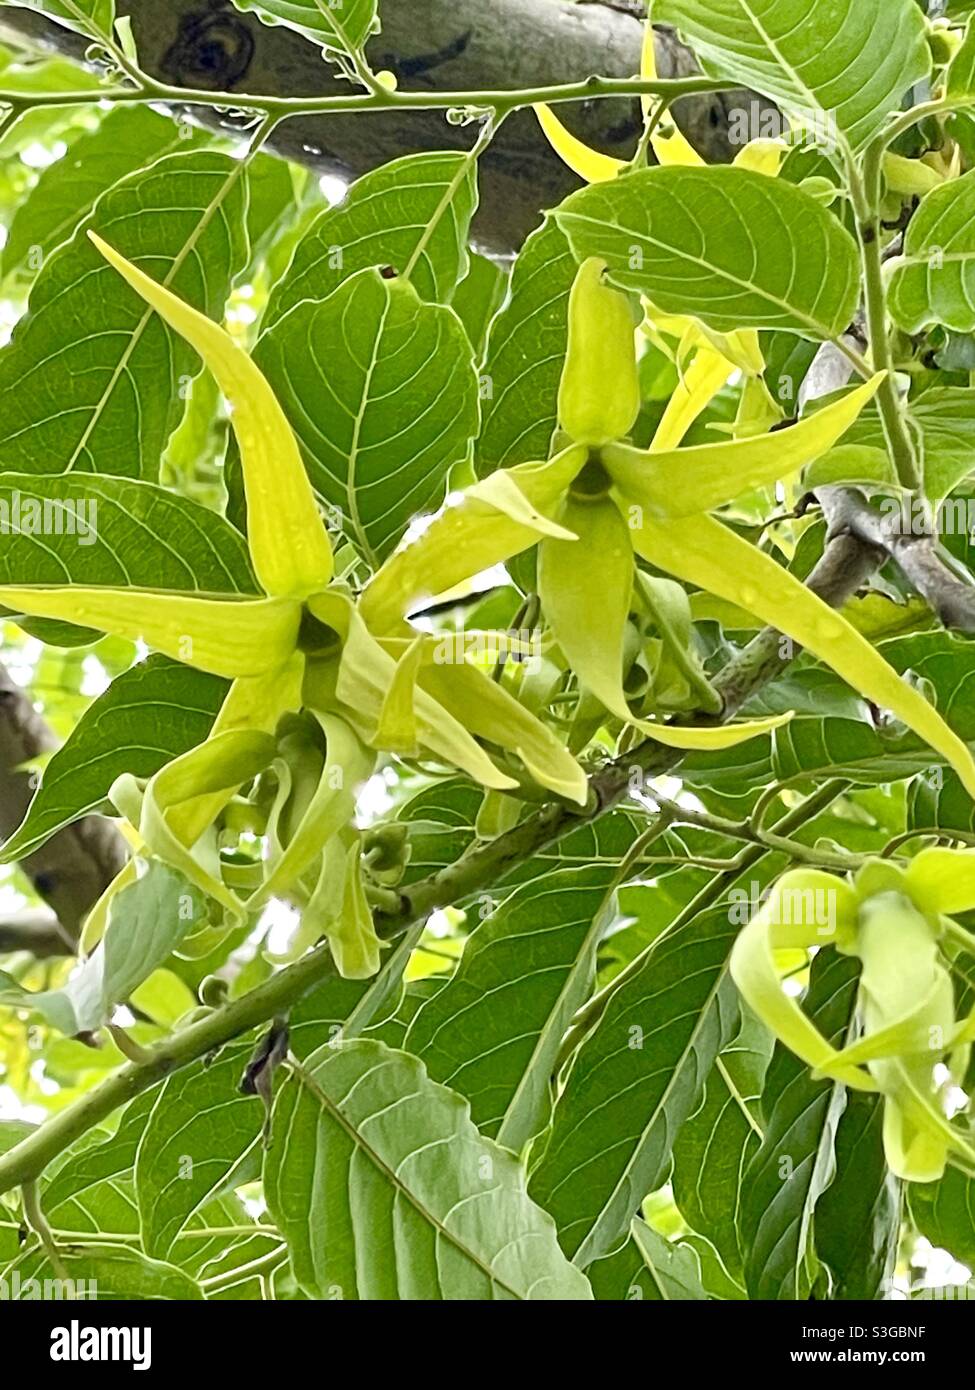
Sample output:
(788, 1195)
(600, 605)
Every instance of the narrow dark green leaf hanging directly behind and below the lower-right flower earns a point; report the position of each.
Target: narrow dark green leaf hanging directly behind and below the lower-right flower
(796, 1161)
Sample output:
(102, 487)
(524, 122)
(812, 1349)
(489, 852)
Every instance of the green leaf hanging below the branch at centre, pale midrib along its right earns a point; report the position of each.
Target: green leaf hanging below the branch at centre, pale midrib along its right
(493, 1032)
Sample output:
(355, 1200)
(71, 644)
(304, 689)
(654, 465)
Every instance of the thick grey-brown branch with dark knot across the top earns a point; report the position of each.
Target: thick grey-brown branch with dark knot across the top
(440, 45)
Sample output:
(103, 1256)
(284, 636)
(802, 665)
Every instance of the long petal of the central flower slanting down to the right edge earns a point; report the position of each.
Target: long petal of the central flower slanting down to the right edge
(703, 553)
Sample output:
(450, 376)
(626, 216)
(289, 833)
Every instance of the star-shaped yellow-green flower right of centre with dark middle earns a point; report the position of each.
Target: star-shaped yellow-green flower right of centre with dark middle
(620, 504)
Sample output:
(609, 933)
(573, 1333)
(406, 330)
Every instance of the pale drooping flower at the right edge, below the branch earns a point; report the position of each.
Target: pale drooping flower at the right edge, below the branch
(912, 1049)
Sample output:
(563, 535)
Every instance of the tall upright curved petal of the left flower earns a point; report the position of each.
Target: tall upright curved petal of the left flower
(289, 543)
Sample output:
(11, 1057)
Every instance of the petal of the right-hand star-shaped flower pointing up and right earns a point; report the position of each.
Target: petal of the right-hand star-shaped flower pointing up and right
(713, 475)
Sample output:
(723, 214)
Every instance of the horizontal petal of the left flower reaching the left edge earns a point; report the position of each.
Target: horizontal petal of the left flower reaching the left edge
(226, 637)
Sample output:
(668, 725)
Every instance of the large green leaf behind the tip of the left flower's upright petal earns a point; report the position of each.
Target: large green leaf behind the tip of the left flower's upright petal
(99, 391)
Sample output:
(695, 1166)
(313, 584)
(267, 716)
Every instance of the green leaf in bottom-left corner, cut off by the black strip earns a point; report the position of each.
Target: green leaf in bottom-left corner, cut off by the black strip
(118, 1274)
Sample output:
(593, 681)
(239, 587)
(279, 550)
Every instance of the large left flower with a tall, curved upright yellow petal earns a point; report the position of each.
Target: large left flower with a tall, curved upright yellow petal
(304, 644)
